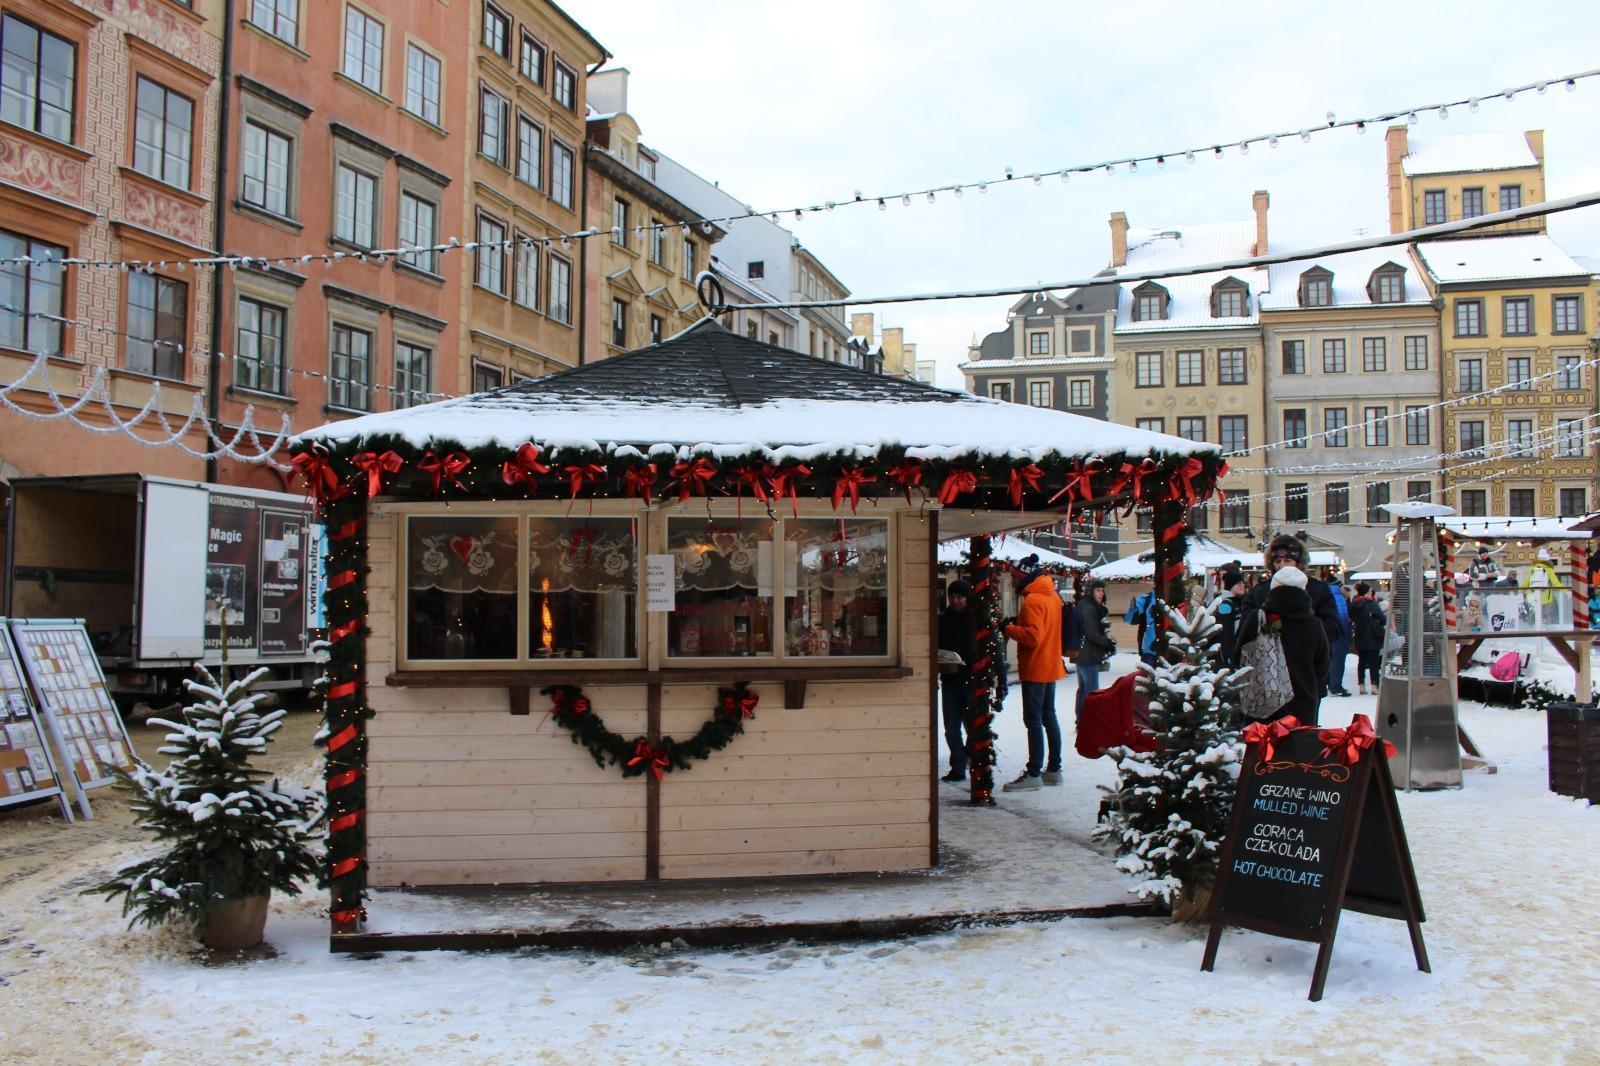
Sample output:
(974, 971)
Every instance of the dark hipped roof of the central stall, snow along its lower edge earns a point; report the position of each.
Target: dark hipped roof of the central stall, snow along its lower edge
(710, 391)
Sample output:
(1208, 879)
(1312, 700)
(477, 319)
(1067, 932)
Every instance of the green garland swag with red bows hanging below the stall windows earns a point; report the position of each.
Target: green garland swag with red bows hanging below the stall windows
(636, 756)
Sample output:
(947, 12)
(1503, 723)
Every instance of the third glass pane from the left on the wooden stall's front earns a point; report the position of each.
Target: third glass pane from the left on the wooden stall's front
(724, 588)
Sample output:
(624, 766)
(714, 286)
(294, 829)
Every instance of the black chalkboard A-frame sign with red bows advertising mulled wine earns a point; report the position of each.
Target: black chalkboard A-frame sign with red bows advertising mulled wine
(1314, 835)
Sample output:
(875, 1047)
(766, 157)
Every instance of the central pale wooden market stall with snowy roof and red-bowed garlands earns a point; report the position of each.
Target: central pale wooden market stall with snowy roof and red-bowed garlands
(671, 615)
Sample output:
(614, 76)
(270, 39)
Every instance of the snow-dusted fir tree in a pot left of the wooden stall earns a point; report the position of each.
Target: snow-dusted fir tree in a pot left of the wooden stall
(228, 833)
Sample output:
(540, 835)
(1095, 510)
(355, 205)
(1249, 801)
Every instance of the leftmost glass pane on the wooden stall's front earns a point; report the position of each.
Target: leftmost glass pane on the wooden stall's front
(462, 588)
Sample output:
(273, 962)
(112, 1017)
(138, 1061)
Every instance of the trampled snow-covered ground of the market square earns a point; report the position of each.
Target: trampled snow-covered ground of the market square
(1508, 873)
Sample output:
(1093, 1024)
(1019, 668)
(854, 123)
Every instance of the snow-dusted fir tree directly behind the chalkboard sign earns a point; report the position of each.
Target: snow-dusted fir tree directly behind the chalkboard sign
(1170, 809)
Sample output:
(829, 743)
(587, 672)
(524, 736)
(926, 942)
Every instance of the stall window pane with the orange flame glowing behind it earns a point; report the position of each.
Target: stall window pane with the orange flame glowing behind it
(583, 590)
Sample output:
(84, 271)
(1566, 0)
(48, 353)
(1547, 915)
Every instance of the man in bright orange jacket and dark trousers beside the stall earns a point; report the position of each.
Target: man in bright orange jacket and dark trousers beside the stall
(1039, 667)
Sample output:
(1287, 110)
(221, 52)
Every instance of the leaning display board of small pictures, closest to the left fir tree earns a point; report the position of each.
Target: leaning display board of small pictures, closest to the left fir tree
(74, 703)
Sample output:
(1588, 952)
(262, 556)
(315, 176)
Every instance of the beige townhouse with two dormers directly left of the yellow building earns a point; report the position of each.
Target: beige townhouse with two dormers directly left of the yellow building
(1354, 371)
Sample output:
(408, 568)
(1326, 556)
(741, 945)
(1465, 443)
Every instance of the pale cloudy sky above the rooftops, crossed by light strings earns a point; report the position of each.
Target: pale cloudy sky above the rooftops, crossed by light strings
(788, 105)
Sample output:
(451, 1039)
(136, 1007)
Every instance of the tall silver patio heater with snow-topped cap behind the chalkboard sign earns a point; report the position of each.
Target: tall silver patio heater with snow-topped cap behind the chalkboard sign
(1417, 695)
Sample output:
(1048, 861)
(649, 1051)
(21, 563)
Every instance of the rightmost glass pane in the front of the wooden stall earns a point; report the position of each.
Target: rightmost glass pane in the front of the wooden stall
(838, 587)
